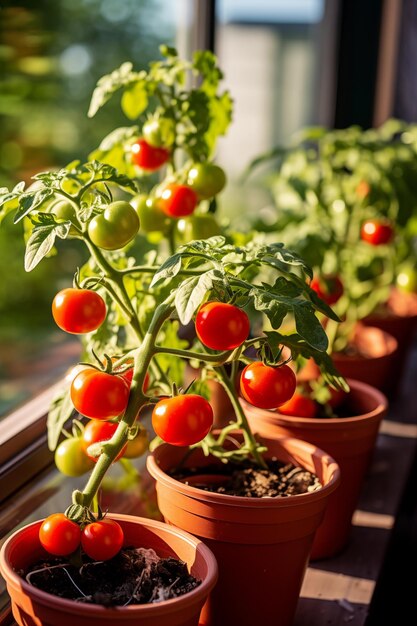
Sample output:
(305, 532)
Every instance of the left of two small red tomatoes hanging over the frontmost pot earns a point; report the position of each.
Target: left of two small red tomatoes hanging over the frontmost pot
(59, 535)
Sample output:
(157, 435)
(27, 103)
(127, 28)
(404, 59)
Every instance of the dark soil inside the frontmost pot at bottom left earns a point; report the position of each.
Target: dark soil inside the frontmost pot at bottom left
(134, 576)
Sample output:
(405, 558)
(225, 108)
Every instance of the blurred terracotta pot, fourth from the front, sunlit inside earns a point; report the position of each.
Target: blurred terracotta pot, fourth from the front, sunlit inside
(375, 359)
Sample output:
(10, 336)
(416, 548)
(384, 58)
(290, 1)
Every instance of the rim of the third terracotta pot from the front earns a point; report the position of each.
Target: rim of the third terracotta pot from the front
(357, 385)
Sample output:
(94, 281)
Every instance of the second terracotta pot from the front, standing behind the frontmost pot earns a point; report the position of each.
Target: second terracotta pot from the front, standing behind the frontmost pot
(262, 545)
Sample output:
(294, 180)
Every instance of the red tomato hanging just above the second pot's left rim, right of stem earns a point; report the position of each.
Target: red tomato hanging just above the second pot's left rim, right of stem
(182, 420)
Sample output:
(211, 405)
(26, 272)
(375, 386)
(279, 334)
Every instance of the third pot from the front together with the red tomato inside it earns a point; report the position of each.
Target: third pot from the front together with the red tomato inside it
(346, 426)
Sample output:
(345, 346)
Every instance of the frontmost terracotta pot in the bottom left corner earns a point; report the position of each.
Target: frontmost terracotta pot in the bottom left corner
(32, 607)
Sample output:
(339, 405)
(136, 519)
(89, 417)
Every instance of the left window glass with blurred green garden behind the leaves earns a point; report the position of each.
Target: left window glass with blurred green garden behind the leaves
(52, 53)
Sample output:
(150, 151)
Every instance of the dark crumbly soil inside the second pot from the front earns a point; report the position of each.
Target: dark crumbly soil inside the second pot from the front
(279, 480)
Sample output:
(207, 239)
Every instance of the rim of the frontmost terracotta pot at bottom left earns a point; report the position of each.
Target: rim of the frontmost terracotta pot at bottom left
(98, 610)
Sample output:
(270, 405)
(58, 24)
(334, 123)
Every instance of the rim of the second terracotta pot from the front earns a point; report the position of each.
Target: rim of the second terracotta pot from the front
(243, 501)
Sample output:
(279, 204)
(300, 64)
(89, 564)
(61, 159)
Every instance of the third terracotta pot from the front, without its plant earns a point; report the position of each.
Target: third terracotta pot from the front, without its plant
(350, 441)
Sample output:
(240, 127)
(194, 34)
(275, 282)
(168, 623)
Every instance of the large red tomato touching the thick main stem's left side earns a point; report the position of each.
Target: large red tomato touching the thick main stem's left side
(99, 395)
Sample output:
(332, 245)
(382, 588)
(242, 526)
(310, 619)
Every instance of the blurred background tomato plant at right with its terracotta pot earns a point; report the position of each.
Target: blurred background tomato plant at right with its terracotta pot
(340, 203)
